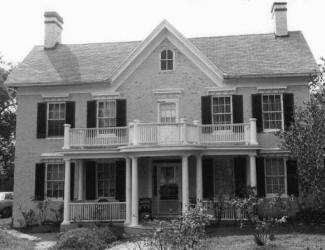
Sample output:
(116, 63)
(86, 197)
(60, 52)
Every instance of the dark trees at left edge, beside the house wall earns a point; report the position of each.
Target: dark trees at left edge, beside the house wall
(8, 108)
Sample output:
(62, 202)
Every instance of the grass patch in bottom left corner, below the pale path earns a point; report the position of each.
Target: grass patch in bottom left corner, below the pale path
(9, 242)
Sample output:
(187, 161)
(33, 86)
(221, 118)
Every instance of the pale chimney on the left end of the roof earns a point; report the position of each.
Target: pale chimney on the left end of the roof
(53, 29)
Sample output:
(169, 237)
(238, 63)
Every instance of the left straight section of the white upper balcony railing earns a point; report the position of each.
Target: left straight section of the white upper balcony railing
(99, 136)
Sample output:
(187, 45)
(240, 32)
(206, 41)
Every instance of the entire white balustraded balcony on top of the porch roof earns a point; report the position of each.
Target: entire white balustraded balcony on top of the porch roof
(182, 133)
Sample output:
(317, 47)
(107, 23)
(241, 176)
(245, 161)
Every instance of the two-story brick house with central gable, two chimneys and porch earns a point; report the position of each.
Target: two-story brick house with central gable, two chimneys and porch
(169, 118)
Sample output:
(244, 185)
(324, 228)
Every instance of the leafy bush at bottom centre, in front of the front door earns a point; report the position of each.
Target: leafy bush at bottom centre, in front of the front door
(185, 232)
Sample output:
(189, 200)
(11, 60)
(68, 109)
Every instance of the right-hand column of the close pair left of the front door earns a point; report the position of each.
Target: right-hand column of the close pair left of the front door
(135, 199)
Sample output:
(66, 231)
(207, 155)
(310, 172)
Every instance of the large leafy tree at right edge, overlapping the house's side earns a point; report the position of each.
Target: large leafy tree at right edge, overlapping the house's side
(305, 139)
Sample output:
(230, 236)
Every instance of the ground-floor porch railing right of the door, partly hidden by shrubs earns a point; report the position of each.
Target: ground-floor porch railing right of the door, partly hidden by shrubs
(224, 211)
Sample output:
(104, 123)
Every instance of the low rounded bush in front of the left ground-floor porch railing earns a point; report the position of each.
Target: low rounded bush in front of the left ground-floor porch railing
(96, 238)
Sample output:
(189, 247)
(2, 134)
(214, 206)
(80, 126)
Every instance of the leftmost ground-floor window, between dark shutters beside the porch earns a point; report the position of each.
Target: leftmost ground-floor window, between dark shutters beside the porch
(55, 181)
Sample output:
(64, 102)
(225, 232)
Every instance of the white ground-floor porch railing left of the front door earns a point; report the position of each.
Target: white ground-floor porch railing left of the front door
(97, 211)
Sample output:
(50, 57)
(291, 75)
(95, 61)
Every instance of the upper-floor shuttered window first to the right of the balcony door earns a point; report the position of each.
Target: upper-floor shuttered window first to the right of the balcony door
(221, 110)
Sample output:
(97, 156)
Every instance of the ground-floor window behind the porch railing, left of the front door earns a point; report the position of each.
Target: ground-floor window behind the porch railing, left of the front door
(106, 180)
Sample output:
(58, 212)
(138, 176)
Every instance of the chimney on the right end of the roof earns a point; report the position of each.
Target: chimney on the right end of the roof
(279, 14)
